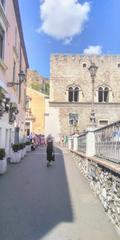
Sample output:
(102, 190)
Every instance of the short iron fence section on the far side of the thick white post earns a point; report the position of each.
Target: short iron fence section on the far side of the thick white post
(82, 142)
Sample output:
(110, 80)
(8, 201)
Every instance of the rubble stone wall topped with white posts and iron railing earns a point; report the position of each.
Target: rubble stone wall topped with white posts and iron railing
(97, 154)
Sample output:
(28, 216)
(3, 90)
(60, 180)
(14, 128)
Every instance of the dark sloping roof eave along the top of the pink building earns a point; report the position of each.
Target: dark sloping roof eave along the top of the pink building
(18, 18)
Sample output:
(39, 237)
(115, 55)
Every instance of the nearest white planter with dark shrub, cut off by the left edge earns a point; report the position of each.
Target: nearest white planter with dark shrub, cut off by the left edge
(3, 161)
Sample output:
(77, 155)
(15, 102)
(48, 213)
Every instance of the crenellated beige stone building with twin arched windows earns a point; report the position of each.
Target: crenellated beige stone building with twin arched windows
(71, 92)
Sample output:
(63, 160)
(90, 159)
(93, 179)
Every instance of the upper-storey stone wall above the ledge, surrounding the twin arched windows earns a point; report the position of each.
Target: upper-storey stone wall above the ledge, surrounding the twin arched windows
(69, 70)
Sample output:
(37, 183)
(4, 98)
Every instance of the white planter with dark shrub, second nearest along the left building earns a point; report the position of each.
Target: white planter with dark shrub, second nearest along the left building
(16, 154)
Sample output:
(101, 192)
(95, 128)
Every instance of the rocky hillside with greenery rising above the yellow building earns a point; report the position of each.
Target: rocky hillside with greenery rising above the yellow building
(37, 82)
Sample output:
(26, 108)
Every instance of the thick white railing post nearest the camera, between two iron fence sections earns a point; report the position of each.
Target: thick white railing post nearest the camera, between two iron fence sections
(90, 142)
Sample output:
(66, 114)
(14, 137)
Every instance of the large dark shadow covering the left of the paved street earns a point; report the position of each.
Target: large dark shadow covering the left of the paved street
(34, 198)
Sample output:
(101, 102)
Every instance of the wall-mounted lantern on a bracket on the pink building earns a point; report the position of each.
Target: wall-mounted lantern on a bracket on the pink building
(21, 75)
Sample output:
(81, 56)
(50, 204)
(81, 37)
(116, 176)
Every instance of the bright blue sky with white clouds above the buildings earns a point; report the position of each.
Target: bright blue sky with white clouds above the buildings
(69, 26)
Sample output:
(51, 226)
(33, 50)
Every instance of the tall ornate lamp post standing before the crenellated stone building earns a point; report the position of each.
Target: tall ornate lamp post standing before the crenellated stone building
(92, 69)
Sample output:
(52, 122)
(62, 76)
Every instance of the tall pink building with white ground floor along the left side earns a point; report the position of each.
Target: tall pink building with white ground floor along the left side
(13, 66)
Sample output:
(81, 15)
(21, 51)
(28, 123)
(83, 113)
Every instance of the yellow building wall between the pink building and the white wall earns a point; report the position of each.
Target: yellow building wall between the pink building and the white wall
(37, 105)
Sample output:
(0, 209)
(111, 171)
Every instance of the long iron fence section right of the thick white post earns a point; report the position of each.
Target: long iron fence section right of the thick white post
(107, 142)
